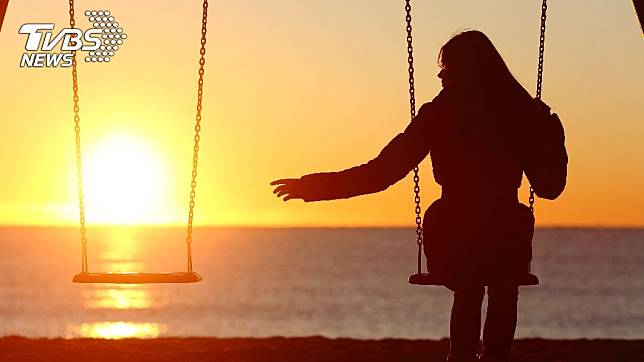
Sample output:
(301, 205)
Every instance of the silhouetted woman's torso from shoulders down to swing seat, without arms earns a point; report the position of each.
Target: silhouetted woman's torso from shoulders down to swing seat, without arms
(477, 233)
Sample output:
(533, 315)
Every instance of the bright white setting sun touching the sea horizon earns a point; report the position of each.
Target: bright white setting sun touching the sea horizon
(126, 182)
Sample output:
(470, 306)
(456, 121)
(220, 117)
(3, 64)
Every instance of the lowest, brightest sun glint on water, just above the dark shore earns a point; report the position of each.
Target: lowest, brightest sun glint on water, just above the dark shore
(116, 330)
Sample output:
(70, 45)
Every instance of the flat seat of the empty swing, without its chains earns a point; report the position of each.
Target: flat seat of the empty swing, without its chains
(137, 278)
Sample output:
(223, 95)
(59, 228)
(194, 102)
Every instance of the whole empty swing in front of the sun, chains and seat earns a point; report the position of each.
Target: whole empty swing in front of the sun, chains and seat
(188, 276)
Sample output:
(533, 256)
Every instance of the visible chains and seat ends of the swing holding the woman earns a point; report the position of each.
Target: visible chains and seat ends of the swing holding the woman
(420, 278)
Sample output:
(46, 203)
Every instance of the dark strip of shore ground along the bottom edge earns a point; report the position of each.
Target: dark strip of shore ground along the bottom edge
(301, 349)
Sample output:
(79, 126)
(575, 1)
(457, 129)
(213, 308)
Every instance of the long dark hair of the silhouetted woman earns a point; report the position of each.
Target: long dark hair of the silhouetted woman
(476, 67)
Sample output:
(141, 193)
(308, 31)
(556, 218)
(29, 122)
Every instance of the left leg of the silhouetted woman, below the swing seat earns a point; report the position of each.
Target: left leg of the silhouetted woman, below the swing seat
(465, 324)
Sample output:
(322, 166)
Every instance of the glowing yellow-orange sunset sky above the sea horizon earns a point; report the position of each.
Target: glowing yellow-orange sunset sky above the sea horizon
(294, 87)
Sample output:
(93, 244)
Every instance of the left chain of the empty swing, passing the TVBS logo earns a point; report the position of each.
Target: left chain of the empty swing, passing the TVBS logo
(79, 162)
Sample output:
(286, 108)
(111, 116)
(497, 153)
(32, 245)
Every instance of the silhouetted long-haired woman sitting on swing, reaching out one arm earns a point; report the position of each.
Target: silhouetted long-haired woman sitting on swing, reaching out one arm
(477, 234)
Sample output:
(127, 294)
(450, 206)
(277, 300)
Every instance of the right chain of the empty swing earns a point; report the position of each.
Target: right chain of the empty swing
(197, 137)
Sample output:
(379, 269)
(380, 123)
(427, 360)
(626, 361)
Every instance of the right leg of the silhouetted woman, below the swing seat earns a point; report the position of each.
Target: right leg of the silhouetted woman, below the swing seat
(500, 323)
